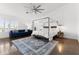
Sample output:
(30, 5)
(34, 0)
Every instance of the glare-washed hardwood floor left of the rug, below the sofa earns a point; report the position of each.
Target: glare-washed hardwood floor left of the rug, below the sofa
(6, 49)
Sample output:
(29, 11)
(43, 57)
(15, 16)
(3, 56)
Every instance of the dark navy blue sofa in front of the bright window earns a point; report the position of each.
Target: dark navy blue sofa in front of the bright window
(15, 34)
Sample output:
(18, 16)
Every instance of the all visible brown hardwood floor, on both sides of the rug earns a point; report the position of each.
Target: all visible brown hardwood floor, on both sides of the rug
(64, 47)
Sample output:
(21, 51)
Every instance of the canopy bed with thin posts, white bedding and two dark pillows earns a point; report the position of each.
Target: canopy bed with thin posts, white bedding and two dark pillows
(45, 27)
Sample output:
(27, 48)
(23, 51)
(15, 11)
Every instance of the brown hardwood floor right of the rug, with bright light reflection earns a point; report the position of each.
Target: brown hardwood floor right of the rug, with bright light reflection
(66, 47)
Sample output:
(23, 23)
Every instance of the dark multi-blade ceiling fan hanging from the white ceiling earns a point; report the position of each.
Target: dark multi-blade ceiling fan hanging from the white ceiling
(35, 9)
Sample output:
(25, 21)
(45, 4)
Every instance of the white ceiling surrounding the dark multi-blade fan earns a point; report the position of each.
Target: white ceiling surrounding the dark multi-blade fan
(18, 9)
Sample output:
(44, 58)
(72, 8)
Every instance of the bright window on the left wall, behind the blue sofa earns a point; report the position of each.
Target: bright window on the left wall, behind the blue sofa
(7, 25)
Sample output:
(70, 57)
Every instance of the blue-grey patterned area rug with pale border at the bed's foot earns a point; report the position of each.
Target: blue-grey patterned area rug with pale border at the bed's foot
(33, 46)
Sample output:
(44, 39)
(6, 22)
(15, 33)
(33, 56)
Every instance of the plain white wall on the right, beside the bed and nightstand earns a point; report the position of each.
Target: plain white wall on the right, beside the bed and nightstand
(67, 15)
